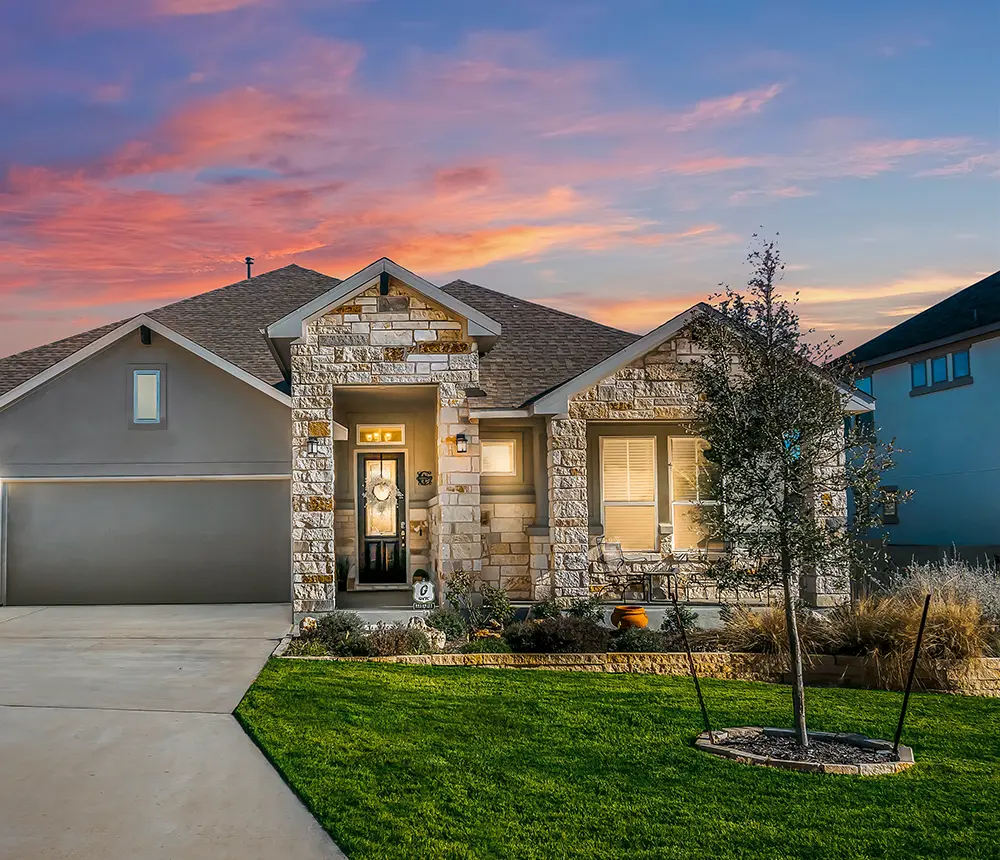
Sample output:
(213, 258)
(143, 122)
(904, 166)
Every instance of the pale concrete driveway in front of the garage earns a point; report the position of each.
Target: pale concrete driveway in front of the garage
(117, 738)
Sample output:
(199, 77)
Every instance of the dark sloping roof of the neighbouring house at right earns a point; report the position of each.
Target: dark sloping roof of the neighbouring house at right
(971, 308)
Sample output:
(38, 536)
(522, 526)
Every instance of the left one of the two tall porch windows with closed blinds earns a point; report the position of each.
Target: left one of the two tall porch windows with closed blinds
(628, 491)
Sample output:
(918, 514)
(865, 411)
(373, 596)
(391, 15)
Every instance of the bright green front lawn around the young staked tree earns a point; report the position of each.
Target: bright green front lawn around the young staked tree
(421, 762)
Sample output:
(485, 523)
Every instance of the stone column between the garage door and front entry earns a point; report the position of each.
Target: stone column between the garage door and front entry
(314, 583)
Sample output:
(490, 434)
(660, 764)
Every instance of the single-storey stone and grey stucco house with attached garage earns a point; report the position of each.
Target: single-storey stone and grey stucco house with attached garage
(297, 436)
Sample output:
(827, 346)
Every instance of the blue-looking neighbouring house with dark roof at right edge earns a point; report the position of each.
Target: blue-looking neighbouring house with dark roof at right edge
(936, 380)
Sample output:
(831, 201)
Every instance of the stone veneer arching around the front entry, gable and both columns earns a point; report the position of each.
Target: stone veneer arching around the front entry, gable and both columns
(397, 339)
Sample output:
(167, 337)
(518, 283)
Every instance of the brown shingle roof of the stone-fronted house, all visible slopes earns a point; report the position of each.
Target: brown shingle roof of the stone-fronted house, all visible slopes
(539, 348)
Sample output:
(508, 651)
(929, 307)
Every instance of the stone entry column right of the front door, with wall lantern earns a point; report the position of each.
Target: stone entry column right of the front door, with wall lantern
(459, 540)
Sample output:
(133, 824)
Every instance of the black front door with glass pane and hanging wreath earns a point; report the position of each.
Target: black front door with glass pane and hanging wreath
(382, 524)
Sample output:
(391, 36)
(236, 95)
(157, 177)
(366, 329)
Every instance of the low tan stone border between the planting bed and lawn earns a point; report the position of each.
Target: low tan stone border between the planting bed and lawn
(979, 677)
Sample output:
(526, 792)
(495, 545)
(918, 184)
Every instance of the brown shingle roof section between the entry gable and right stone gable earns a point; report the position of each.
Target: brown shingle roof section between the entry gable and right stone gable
(539, 347)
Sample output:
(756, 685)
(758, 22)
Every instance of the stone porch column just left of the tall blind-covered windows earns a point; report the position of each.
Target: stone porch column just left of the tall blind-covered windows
(568, 513)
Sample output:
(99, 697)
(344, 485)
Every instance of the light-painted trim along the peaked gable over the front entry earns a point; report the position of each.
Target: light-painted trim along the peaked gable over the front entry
(294, 324)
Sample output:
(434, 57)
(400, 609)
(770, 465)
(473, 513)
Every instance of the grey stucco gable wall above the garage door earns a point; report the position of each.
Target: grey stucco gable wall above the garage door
(78, 424)
